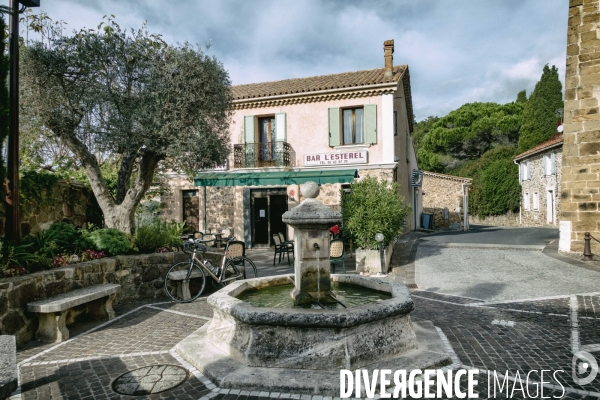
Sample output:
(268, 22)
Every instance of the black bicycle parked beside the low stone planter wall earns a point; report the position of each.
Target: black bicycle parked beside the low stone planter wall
(185, 281)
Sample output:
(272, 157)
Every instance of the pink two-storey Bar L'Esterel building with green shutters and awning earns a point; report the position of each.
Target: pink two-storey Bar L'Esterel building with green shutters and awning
(331, 129)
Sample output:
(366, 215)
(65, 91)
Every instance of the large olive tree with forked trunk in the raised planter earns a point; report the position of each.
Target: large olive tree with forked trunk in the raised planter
(130, 96)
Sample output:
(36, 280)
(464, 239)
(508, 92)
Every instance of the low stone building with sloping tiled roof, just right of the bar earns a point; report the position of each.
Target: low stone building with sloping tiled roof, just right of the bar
(441, 191)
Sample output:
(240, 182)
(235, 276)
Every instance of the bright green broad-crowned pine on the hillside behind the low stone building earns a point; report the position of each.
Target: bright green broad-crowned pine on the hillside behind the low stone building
(467, 133)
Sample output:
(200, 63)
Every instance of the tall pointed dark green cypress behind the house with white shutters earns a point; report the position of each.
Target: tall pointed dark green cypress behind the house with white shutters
(539, 114)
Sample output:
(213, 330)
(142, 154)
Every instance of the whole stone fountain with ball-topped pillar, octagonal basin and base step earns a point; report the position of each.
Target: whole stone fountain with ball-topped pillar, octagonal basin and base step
(301, 350)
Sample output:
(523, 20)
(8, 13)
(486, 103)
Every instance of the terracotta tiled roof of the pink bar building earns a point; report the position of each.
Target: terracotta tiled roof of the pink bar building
(316, 83)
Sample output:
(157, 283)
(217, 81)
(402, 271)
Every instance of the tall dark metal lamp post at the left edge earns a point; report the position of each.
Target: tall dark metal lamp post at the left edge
(12, 223)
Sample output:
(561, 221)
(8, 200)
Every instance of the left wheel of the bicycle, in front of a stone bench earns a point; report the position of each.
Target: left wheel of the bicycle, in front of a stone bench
(181, 290)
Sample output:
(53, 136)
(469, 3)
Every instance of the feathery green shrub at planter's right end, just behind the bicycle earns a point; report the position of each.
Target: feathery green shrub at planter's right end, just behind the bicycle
(149, 238)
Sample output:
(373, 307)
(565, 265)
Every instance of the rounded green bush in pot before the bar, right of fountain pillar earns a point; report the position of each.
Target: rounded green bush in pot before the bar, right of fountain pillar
(373, 206)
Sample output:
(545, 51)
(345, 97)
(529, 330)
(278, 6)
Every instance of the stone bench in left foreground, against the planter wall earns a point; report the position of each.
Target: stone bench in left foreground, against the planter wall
(57, 312)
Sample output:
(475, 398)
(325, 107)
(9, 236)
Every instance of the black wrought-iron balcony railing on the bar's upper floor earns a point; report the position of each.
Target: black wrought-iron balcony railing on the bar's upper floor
(265, 154)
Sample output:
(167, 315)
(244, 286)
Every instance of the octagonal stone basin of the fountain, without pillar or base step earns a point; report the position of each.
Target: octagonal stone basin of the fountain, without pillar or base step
(312, 339)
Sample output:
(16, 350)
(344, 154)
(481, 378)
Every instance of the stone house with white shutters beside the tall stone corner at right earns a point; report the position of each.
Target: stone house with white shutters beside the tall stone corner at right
(540, 170)
